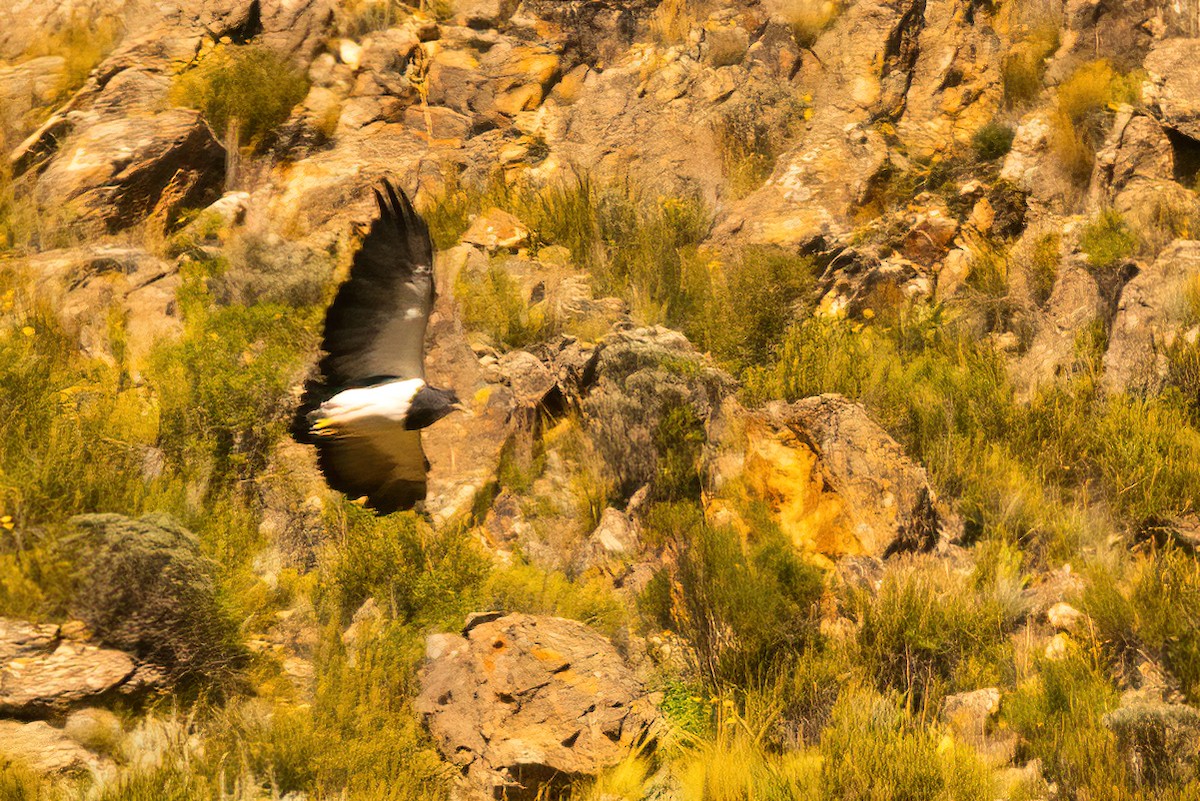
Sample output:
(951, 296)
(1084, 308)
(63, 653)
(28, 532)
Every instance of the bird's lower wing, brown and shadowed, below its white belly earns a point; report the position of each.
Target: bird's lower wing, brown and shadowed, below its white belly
(386, 467)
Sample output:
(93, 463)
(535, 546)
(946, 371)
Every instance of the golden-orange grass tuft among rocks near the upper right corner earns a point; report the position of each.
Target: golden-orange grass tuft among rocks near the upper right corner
(1084, 112)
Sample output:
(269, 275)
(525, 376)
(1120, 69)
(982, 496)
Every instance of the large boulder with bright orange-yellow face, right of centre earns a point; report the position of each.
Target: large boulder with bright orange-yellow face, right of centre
(837, 484)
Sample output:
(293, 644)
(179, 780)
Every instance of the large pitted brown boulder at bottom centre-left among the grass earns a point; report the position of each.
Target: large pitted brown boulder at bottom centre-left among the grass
(519, 700)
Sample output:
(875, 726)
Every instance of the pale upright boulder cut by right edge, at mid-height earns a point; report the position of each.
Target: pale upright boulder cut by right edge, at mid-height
(1150, 320)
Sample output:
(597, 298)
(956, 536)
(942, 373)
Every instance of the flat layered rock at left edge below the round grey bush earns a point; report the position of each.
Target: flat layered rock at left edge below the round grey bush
(44, 671)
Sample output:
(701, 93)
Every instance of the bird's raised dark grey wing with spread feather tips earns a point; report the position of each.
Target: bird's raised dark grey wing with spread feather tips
(376, 324)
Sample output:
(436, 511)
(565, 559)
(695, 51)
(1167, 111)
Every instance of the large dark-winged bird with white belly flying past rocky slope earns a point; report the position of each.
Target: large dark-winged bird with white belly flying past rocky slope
(367, 409)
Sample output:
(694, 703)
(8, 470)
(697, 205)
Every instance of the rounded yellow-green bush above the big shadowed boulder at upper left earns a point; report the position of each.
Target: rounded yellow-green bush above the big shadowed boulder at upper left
(250, 87)
